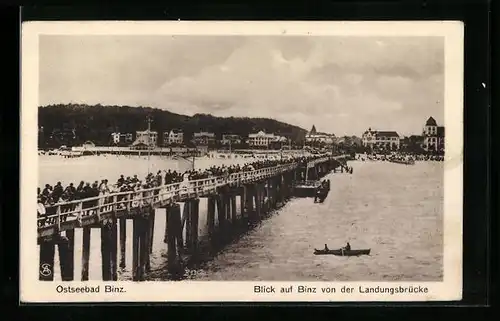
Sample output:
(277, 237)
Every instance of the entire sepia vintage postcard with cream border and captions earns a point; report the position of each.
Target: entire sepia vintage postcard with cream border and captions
(241, 161)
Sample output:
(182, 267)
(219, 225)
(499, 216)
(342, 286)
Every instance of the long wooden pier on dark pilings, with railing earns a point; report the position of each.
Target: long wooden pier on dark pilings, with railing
(260, 191)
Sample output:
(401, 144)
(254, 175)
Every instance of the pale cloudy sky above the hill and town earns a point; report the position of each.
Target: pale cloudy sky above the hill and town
(342, 85)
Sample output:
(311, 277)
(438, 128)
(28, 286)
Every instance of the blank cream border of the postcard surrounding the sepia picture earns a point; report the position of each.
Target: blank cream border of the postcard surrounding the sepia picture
(33, 290)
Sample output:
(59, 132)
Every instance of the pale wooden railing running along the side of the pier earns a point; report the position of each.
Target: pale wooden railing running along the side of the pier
(63, 215)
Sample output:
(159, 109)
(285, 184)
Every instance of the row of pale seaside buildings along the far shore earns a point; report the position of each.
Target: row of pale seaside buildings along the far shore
(430, 140)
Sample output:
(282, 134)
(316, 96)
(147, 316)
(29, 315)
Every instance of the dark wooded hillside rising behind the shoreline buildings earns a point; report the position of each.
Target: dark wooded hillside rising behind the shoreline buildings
(74, 124)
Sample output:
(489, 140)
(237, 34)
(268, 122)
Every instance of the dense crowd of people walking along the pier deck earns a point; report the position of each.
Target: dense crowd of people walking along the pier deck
(51, 195)
